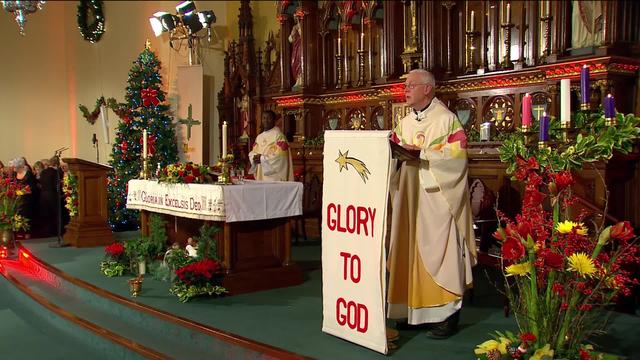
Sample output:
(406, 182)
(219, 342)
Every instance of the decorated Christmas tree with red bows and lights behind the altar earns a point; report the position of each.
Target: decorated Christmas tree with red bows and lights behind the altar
(145, 108)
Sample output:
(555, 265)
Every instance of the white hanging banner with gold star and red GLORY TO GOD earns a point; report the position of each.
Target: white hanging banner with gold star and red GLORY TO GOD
(354, 208)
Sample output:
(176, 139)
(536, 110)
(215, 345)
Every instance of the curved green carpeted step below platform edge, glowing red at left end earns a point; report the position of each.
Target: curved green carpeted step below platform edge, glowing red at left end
(139, 327)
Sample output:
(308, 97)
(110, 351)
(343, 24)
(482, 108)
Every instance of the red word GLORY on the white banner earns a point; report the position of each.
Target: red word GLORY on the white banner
(354, 219)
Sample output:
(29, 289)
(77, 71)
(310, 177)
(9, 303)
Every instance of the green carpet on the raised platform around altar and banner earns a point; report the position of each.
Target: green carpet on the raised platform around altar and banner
(291, 318)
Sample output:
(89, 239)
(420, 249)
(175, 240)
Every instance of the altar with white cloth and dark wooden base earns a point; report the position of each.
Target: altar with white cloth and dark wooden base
(254, 245)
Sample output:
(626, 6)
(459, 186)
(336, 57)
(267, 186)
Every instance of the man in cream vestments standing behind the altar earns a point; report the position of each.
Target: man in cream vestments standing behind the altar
(270, 158)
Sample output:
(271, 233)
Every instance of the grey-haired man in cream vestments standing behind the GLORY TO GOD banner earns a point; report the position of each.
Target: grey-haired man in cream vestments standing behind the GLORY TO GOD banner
(432, 246)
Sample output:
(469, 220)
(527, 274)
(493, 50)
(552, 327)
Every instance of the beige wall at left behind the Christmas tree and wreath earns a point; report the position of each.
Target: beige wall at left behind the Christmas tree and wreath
(47, 73)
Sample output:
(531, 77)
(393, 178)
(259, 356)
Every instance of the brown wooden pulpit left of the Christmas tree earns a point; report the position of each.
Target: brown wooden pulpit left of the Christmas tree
(89, 227)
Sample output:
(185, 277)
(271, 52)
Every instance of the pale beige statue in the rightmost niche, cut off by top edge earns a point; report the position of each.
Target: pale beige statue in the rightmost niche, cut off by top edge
(586, 24)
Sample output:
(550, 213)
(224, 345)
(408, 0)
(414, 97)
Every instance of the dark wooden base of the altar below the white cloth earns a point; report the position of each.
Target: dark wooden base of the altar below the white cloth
(255, 254)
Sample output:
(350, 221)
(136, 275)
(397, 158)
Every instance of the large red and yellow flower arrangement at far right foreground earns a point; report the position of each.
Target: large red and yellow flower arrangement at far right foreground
(565, 273)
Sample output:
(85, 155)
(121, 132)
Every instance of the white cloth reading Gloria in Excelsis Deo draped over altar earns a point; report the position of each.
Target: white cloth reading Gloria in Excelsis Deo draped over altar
(253, 200)
